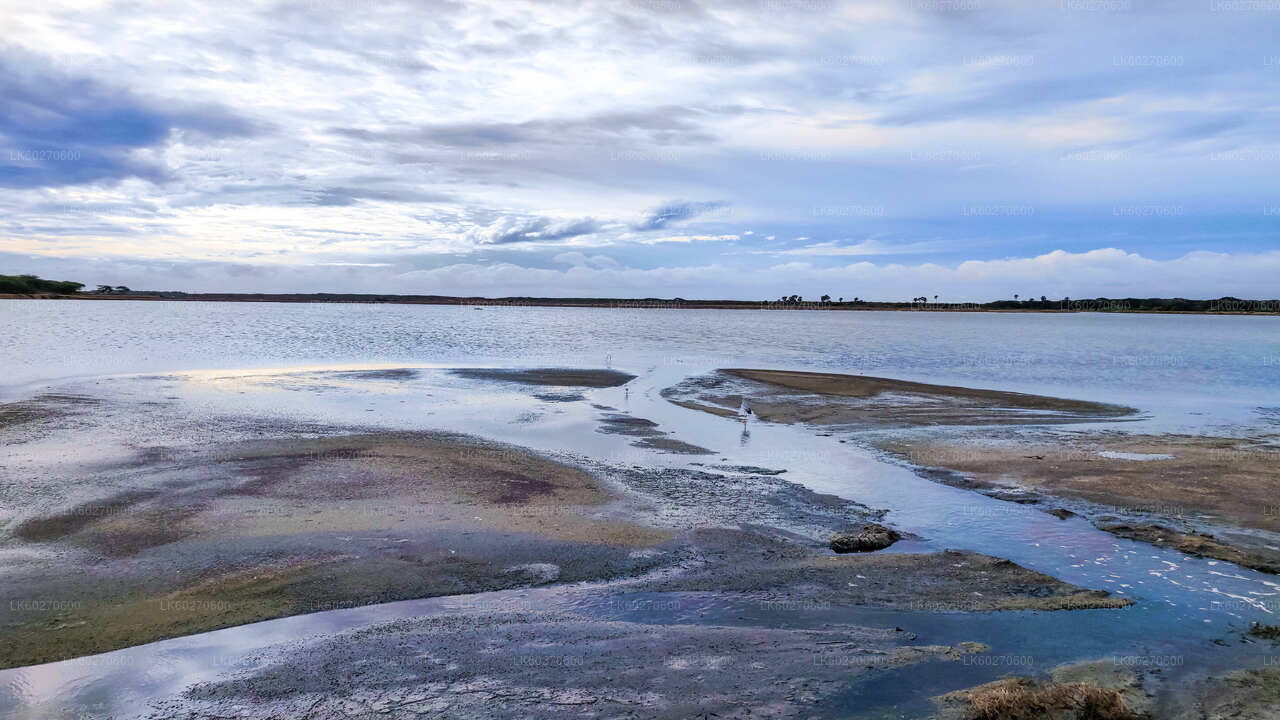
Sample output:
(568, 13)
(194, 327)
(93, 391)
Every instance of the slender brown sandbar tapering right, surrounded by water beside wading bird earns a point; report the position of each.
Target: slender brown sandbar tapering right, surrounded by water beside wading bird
(826, 399)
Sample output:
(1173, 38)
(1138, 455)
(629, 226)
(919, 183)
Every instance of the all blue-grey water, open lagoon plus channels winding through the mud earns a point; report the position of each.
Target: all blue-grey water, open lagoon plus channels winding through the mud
(284, 362)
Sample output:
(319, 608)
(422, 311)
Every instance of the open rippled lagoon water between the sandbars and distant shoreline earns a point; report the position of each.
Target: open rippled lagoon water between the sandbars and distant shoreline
(1183, 370)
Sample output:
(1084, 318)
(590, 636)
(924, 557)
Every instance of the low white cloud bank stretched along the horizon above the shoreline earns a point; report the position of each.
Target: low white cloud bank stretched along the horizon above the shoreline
(1099, 274)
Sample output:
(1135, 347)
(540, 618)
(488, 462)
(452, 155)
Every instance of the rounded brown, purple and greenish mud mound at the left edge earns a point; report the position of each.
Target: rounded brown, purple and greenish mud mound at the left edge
(264, 530)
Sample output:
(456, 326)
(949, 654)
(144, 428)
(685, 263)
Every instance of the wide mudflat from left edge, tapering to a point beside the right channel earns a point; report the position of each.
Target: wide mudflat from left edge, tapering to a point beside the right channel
(181, 540)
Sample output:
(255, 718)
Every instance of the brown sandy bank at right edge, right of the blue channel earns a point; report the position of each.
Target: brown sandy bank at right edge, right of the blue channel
(1177, 491)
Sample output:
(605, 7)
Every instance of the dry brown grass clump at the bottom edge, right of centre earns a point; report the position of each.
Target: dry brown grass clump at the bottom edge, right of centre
(1075, 701)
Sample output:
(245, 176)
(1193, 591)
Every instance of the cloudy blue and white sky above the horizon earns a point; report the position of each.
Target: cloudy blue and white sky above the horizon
(970, 149)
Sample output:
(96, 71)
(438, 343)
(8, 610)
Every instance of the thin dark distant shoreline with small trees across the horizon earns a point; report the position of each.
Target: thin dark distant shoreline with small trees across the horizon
(1246, 307)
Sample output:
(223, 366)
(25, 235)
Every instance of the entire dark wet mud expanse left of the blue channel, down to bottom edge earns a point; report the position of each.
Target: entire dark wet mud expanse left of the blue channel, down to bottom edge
(684, 591)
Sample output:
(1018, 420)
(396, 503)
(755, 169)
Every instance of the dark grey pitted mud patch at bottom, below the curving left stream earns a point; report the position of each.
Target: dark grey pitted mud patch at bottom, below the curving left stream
(548, 664)
